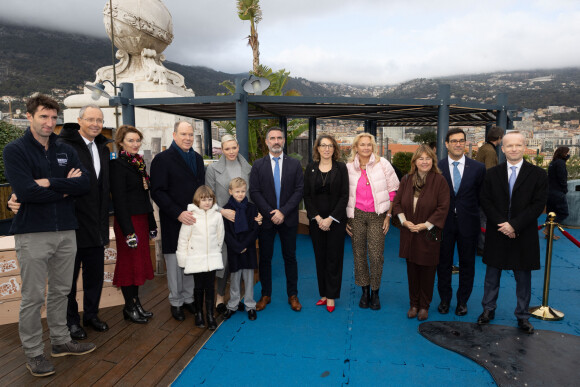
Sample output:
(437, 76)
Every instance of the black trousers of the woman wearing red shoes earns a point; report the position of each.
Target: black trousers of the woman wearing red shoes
(329, 255)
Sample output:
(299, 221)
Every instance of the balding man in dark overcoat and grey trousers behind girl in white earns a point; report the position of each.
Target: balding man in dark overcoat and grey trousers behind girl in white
(176, 173)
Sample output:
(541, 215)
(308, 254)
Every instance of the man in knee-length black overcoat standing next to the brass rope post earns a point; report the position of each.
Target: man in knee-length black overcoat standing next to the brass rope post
(513, 196)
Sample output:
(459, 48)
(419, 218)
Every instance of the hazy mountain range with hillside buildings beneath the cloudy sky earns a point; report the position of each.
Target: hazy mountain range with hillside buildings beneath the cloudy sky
(34, 60)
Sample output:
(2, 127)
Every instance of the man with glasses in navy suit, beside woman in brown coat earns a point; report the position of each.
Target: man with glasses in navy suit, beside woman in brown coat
(465, 177)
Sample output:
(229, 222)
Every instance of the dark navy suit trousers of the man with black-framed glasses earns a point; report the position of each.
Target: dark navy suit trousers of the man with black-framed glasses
(466, 247)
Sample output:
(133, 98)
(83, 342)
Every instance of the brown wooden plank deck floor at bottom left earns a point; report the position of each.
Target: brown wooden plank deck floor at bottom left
(127, 354)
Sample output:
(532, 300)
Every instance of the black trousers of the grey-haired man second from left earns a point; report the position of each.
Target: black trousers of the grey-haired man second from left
(92, 260)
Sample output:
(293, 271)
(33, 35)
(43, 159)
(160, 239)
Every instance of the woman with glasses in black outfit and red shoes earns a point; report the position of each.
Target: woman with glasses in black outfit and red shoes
(325, 197)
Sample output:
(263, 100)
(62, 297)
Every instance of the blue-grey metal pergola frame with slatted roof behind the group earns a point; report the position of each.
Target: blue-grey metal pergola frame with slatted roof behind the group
(441, 112)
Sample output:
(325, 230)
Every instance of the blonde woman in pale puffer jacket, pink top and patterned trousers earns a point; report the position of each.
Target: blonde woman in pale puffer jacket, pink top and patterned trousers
(372, 187)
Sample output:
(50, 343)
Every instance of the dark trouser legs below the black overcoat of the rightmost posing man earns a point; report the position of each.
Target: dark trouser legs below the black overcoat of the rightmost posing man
(523, 290)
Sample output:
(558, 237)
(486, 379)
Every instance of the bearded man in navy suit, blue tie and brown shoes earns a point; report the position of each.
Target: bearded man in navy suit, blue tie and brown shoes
(276, 187)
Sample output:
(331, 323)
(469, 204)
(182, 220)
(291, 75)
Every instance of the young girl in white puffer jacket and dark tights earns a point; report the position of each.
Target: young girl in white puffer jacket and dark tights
(199, 252)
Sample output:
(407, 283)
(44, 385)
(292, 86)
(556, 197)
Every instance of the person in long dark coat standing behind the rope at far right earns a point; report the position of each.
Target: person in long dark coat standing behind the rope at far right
(558, 185)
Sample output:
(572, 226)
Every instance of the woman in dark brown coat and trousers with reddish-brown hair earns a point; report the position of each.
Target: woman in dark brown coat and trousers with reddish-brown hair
(421, 205)
